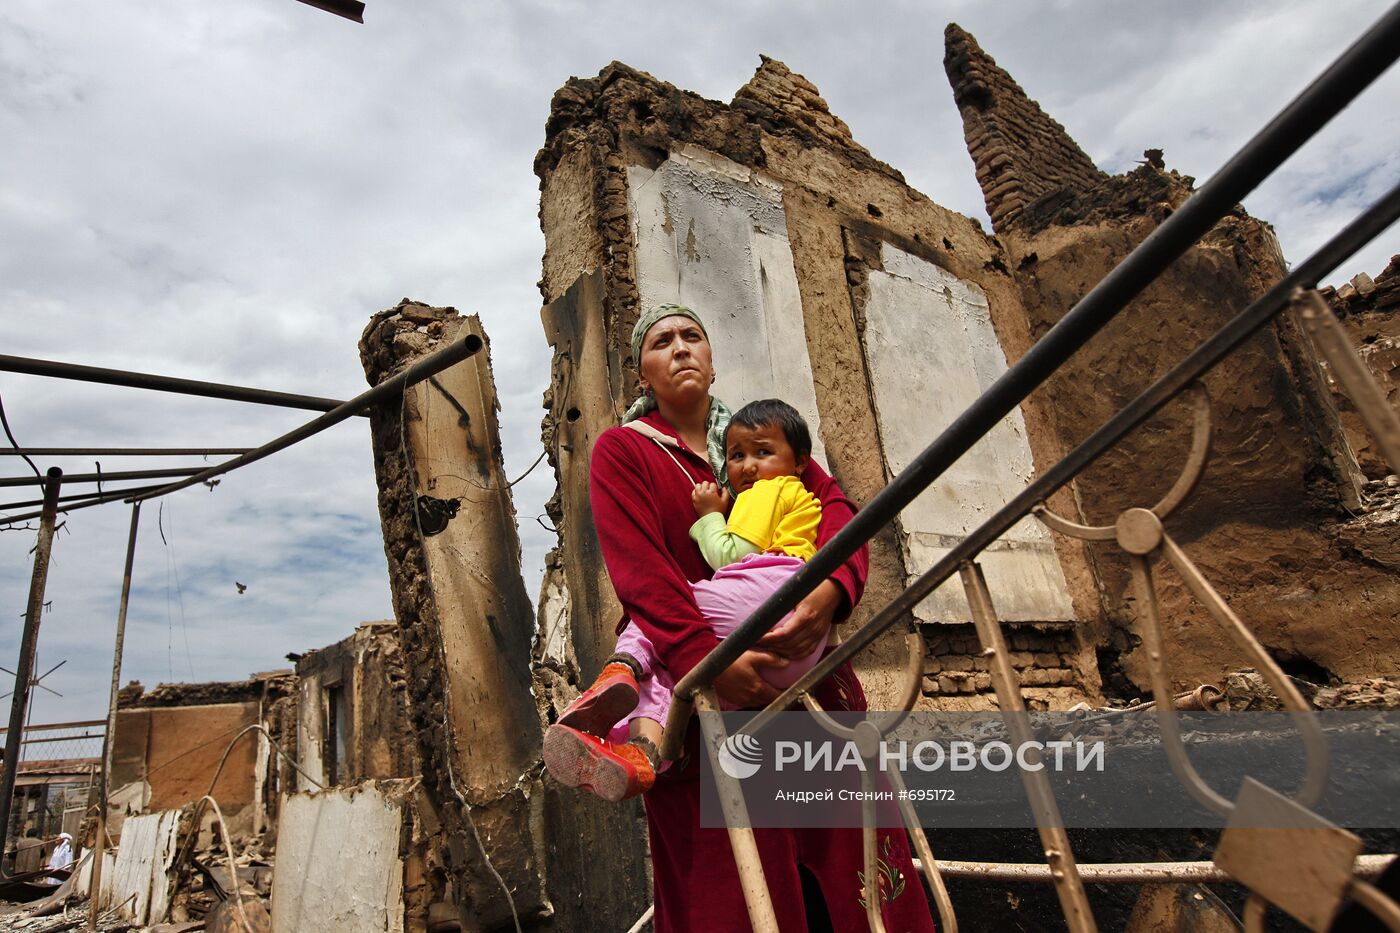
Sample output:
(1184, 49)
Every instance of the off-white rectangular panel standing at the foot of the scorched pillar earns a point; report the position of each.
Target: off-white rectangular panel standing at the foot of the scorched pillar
(316, 893)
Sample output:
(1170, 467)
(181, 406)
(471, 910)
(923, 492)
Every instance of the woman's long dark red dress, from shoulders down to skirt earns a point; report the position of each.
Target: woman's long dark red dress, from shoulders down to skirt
(643, 513)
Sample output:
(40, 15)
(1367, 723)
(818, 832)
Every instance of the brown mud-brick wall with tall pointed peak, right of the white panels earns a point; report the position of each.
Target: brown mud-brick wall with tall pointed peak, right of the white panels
(1263, 523)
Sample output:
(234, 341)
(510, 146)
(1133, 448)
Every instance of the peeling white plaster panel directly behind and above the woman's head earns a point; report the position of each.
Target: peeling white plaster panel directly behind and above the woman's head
(712, 236)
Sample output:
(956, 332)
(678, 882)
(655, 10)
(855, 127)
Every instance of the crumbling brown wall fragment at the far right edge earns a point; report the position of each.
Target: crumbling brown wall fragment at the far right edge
(1370, 309)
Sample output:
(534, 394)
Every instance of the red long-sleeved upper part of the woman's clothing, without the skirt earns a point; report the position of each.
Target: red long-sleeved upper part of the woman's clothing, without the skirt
(642, 509)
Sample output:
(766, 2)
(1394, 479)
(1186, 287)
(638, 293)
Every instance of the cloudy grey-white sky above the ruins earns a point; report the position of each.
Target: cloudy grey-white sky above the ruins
(227, 191)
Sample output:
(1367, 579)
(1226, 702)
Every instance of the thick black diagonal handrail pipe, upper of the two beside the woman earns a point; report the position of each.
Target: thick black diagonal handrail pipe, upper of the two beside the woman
(1322, 100)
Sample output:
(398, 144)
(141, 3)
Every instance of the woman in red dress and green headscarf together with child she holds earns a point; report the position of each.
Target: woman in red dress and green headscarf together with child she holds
(659, 505)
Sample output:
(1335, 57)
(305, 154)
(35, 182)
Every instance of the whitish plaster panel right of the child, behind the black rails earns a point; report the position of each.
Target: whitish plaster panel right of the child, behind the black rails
(932, 351)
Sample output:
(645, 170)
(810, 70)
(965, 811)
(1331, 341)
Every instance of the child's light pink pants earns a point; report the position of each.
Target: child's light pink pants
(727, 600)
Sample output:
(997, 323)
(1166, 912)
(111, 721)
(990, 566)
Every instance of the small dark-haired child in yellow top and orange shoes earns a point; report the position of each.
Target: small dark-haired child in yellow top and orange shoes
(769, 536)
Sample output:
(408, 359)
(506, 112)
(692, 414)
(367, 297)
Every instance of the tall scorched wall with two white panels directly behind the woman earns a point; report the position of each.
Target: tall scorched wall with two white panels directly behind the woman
(626, 156)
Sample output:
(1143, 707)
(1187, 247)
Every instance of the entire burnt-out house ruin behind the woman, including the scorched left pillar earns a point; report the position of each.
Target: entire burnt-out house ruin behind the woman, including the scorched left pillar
(880, 315)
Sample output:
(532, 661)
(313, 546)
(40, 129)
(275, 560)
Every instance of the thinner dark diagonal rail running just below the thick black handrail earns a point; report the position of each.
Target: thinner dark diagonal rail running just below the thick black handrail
(1144, 407)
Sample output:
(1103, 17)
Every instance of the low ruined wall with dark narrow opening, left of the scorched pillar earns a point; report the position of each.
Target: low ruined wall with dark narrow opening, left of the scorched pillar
(353, 711)
